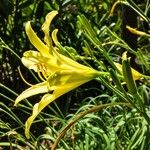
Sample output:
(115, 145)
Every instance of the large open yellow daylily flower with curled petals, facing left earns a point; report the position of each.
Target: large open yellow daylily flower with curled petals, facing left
(59, 74)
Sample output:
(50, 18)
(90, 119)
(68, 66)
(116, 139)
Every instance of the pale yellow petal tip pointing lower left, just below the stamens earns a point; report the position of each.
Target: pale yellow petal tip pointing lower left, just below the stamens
(36, 89)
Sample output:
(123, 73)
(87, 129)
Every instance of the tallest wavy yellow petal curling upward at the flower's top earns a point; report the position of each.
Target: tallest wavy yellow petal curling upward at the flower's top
(45, 27)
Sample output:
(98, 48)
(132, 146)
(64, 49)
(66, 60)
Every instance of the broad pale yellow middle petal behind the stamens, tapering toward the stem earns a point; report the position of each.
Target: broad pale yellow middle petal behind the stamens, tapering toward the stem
(57, 62)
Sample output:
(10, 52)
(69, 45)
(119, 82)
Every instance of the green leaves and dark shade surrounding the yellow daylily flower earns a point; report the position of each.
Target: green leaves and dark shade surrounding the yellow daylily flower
(92, 35)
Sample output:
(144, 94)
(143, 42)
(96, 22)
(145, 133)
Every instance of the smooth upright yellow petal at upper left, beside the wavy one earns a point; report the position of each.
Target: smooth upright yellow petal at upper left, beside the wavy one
(34, 39)
